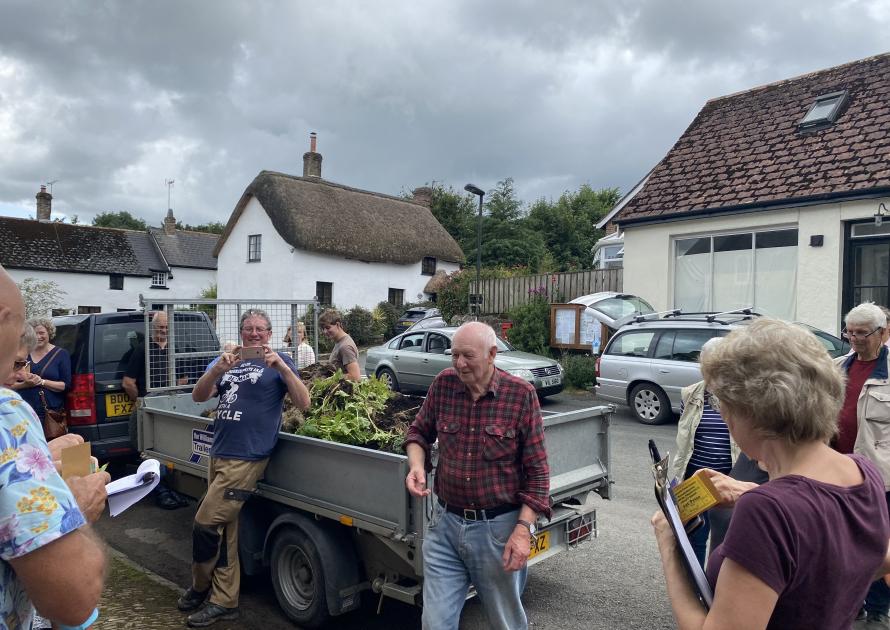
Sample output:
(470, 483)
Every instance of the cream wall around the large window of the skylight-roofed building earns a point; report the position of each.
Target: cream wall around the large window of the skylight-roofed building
(819, 269)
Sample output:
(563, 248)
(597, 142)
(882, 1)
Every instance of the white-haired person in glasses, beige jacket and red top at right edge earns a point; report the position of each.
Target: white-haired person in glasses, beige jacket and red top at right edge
(863, 421)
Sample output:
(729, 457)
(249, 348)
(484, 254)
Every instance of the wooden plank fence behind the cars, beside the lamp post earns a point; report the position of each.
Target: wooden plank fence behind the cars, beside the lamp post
(499, 295)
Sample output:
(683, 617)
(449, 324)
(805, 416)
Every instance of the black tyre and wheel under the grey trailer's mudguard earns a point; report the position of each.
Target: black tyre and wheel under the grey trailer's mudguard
(298, 579)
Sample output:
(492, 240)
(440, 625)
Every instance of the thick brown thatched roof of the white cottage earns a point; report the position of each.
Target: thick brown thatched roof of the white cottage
(316, 215)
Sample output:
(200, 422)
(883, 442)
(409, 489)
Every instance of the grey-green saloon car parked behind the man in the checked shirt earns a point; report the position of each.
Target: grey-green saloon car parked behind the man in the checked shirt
(409, 362)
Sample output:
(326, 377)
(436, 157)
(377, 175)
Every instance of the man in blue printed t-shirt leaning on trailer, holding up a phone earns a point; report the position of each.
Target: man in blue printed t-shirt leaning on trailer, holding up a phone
(251, 397)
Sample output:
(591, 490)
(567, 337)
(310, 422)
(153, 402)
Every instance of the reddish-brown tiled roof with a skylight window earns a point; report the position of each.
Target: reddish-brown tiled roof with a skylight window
(745, 150)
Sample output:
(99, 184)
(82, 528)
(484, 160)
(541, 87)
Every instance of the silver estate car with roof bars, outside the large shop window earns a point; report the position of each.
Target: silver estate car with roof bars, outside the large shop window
(648, 362)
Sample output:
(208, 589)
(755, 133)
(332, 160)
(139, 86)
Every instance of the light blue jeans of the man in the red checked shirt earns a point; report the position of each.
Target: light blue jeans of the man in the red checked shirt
(457, 553)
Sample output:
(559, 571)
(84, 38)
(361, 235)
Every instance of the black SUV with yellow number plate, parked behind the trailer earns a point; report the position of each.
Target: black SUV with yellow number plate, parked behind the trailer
(100, 346)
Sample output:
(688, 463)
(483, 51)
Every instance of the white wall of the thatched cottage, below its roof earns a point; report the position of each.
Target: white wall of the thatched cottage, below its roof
(285, 273)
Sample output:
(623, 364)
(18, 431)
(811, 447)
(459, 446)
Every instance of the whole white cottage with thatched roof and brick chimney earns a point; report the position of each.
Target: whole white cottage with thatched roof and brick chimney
(295, 237)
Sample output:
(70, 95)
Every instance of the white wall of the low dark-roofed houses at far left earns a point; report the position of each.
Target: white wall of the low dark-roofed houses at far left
(86, 289)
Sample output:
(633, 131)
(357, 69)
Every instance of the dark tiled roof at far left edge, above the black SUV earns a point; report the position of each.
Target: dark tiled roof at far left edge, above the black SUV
(51, 246)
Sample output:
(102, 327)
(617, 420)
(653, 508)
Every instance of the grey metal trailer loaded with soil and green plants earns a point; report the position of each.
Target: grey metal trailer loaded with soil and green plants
(333, 521)
